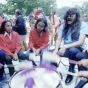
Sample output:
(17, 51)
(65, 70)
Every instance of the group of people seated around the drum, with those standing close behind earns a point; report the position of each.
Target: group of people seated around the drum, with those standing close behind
(73, 32)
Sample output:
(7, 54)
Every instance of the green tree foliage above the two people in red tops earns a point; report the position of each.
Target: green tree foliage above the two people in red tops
(27, 6)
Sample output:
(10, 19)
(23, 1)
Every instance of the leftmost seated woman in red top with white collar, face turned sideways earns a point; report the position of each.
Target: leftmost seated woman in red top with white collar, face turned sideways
(10, 44)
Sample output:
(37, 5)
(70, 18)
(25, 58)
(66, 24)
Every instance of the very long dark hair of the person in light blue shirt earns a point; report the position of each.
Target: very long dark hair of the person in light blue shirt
(75, 25)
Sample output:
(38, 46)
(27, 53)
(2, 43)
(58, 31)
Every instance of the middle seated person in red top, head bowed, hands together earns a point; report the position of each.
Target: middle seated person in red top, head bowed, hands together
(38, 38)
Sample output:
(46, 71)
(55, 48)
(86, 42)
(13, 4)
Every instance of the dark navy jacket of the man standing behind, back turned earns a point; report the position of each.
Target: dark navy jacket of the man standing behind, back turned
(20, 27)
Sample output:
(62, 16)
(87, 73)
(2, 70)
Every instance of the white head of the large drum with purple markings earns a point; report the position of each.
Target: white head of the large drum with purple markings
(43, 78)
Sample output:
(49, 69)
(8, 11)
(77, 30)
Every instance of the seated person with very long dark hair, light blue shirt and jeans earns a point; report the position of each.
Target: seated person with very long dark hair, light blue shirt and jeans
(73, 33)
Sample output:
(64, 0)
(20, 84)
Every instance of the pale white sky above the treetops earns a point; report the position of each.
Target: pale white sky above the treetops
(60, 3)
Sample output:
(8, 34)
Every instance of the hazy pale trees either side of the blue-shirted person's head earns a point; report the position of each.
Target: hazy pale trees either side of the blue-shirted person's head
(82, 8)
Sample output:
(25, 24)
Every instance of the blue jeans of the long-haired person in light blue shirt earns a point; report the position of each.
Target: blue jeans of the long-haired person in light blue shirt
(71, 54)
